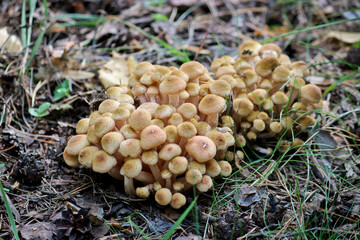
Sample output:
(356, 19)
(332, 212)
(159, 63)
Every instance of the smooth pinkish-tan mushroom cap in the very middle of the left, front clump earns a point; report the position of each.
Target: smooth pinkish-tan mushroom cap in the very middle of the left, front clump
(151, 137)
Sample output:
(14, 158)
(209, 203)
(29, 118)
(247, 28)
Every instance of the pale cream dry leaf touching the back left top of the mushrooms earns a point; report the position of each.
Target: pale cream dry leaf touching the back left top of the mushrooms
(115, 72)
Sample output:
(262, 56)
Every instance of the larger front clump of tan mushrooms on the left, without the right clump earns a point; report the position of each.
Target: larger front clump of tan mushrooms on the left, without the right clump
(166, 144)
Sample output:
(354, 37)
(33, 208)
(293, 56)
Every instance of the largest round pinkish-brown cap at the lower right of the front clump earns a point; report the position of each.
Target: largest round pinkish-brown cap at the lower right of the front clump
(201, 148)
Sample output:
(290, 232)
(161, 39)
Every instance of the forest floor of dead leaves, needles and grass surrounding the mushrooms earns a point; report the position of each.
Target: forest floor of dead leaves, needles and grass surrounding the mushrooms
(313, 193)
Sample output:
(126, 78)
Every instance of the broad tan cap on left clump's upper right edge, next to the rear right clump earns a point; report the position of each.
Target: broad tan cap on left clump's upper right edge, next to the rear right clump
(212, 104)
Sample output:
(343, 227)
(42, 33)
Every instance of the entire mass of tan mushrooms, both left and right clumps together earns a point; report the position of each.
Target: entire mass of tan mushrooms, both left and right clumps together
(169, 129)
